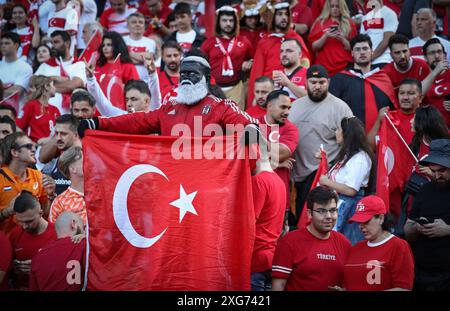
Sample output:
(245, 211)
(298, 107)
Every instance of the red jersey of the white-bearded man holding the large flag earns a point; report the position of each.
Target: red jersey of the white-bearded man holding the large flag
(210, 110)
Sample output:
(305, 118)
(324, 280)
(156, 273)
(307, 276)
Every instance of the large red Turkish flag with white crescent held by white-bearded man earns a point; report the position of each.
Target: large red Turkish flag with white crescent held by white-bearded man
(161, 223)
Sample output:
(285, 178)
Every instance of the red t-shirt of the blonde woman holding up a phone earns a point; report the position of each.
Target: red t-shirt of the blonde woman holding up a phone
(332, 55)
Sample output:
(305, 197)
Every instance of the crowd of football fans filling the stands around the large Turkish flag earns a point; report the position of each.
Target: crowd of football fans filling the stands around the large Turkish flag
(323, 75)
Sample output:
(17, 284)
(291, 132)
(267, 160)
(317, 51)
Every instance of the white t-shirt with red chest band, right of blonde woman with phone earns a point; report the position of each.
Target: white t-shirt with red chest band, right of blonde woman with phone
(375, 24)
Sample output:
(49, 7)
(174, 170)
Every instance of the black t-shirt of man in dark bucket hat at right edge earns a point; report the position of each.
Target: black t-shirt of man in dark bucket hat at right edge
(432, 255)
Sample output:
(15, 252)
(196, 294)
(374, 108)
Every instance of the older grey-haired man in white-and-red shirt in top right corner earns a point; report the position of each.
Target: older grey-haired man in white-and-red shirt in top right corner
(426, 25)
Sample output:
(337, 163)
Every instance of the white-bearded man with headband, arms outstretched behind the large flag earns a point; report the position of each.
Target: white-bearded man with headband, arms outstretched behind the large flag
(194, 104)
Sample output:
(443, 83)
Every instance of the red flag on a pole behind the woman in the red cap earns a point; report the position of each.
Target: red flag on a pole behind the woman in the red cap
(394, 165)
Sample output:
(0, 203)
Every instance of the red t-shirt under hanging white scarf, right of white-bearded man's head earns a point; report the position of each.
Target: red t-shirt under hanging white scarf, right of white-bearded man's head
(241, 51)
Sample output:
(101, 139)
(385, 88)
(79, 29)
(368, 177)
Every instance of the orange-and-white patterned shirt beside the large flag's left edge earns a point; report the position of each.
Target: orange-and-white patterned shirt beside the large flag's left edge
(70, 200)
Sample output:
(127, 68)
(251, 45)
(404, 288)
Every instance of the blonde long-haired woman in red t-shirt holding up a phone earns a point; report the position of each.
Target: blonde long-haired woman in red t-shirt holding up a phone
(330, 36)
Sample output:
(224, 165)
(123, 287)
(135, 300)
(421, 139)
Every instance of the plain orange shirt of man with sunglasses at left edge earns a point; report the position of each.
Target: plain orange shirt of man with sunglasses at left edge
(11, 186)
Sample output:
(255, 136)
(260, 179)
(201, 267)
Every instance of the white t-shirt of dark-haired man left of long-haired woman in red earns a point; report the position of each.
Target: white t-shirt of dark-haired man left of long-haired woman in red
(77, 69)
